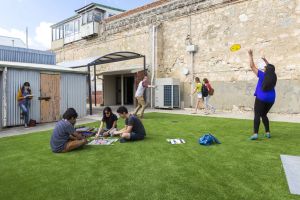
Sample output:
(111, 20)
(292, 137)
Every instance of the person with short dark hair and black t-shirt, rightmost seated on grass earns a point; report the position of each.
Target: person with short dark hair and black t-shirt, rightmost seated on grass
(134, 129)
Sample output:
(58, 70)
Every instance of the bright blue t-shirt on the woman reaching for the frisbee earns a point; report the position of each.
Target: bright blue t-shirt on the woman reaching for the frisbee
(265, 96)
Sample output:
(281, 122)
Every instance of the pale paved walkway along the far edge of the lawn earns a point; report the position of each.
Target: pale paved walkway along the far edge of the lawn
(295, 118)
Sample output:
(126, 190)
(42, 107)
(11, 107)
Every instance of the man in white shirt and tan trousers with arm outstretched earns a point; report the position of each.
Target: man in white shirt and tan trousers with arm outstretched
(139, 95)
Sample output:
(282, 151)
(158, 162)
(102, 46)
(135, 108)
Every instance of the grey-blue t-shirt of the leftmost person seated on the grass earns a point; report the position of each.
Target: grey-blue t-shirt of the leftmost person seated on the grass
(61, 134)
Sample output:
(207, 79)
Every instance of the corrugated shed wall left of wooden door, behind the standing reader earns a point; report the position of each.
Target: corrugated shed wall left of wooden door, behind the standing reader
(15, 80)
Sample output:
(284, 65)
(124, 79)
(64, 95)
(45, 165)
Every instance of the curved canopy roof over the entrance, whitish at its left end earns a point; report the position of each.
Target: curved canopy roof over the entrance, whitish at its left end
(108, 58)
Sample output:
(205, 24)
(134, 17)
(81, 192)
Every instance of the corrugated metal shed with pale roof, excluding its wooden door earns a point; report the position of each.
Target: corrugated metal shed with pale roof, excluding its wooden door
(73, 89)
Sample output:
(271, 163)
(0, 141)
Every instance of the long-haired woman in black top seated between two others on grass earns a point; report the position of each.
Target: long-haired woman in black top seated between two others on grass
(110, 120)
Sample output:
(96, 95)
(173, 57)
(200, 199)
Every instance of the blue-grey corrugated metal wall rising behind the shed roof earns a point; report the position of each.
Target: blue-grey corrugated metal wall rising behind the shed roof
(16, 54)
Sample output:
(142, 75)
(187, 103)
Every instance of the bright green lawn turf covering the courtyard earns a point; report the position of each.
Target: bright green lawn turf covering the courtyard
(237, 169)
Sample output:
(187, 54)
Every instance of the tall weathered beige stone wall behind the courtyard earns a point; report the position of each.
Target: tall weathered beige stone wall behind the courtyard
(270, 27)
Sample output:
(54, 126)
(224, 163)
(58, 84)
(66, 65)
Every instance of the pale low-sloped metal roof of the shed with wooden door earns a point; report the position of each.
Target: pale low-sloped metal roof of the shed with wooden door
(40, 67)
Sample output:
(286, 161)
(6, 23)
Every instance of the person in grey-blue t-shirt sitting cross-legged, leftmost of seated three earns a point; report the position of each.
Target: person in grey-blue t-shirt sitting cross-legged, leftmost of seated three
(64, 137)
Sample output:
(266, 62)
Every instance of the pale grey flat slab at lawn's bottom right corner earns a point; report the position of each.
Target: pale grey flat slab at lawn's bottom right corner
(291, 165)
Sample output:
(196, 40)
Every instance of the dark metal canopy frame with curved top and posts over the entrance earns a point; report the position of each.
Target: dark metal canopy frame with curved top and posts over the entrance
(109, 58)
